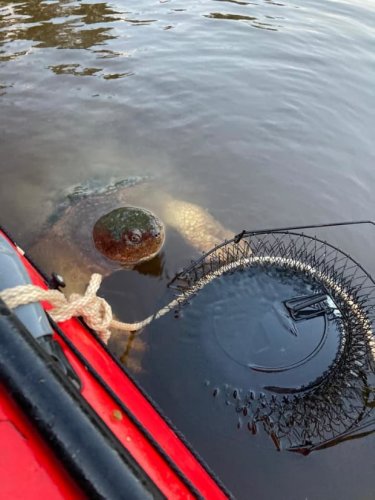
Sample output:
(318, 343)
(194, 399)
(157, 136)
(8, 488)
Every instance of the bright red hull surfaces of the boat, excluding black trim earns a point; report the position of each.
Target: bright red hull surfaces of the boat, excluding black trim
(29, 468)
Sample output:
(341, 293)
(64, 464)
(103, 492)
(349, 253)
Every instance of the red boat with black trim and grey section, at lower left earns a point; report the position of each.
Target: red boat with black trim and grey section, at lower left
(73, 423)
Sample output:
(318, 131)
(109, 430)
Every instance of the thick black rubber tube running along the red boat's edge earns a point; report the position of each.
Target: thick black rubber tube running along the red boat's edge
(87, 448)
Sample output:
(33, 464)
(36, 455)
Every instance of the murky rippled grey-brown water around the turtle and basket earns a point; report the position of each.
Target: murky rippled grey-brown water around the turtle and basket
(260, 112)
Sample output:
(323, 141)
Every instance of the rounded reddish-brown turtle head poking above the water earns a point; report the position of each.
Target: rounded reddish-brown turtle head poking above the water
(129, 235)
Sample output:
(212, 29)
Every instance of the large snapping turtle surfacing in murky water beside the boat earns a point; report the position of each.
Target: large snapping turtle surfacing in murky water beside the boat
(91, 228)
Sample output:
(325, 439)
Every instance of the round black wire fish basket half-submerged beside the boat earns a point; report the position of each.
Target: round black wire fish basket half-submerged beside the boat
(294, 318)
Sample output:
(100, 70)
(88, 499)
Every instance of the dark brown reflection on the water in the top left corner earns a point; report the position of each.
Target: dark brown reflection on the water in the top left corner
(60, 25)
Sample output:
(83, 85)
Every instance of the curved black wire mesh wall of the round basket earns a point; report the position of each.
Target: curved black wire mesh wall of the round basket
(340, 404)
